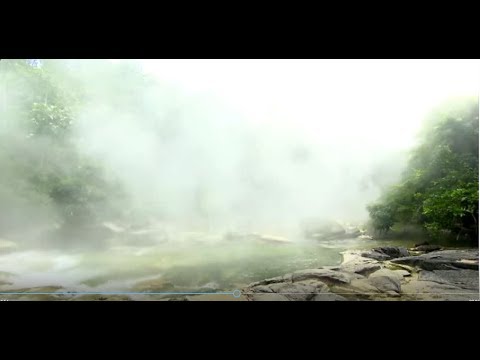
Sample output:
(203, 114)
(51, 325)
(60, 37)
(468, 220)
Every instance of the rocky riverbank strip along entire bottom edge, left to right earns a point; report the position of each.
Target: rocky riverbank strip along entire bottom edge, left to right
(383, 273)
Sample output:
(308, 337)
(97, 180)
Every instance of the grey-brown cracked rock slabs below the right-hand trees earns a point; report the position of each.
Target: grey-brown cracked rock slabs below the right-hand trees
(385, 273)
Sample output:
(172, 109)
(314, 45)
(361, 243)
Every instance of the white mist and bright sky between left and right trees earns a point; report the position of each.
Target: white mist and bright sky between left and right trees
(267, 143)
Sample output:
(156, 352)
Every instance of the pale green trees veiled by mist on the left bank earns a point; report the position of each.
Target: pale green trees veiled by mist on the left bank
(44, 176)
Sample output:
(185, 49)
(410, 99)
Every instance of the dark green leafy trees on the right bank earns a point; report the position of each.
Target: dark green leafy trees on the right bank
(439, 188)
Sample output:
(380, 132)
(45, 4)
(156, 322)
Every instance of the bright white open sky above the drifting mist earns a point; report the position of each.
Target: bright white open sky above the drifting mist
(328, 100)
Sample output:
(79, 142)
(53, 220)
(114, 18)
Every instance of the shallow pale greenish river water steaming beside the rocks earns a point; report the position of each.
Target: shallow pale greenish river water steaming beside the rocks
(172, 267)
